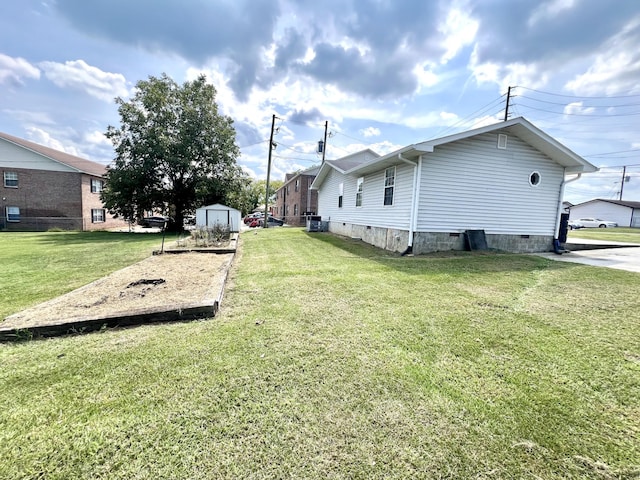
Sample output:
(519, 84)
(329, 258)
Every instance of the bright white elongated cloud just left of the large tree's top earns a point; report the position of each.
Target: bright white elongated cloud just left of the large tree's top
(78, 75)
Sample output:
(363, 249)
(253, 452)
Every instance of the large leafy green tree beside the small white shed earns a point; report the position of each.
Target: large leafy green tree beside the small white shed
(174, 151)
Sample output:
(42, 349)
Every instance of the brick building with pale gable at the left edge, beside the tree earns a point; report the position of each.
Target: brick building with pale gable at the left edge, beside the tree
(43, 188)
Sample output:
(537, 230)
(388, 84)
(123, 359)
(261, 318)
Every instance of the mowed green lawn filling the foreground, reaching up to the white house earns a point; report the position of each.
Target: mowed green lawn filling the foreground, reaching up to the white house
(332, 359)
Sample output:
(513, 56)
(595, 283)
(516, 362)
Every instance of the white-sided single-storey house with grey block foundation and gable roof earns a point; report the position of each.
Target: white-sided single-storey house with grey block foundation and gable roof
(505, 179)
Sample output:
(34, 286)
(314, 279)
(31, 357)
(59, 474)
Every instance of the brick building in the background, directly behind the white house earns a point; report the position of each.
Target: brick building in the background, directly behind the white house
(294, 200)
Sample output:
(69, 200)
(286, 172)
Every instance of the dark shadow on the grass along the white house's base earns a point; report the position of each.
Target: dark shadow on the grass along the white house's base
(449, 262)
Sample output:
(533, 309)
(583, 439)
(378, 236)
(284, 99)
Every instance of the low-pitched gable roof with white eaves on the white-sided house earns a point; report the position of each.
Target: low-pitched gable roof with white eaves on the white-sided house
(519, 127)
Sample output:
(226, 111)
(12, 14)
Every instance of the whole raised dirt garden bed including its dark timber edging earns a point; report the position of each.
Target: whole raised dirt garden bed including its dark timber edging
(170, 286)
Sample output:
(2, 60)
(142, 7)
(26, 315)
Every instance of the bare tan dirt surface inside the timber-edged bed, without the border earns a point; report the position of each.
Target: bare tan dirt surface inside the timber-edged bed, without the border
(160, 281)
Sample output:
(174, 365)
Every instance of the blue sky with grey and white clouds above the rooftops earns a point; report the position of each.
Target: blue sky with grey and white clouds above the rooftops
(383, 73)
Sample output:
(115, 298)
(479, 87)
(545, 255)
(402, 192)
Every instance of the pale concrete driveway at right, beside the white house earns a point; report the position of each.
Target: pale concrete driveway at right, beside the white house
(622, 256)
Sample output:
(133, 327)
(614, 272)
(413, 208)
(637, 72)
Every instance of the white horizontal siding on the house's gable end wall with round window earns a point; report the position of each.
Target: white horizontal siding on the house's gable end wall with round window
(471, 184)
